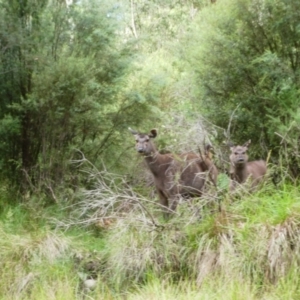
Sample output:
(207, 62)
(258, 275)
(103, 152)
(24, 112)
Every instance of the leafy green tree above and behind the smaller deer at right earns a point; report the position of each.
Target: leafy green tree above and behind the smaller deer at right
(245, 57)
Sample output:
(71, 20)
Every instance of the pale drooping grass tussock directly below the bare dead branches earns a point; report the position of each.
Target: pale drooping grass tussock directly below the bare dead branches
(136, 251)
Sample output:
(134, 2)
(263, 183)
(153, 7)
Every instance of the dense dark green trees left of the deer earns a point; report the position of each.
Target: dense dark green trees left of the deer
(63, 73)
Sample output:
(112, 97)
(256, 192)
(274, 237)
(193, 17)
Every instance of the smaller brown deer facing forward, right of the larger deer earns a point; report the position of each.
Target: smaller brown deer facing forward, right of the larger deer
(241, 169)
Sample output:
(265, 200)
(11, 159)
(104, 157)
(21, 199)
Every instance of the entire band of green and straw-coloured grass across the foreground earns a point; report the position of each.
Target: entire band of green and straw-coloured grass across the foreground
(248, 250)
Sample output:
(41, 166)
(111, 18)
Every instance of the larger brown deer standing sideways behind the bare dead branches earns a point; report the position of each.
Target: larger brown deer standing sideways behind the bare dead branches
(174, 175)
